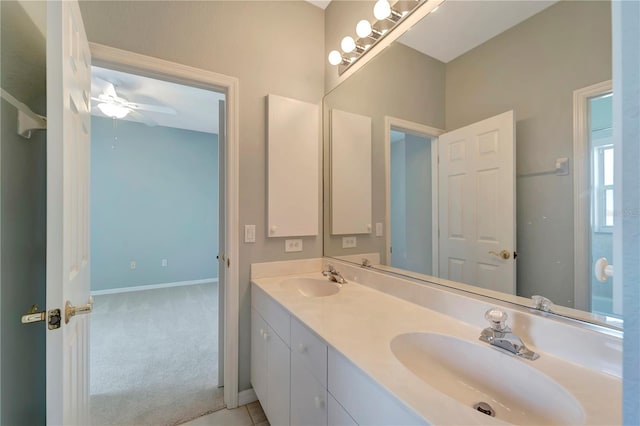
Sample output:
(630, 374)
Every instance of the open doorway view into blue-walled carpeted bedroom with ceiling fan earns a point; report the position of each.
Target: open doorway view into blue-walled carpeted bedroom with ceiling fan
(156, 355)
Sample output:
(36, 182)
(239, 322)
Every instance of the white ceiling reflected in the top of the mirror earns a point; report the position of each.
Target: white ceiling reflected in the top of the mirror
(458, 26)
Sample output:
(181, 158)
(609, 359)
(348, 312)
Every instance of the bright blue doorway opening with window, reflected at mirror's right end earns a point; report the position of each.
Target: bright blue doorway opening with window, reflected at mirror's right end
(602, 217)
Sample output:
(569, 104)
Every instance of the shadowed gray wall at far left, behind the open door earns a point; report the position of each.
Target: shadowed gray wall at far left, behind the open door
(22, 221)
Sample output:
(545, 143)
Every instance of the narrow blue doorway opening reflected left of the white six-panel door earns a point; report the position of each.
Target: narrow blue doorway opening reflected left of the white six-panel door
(411, 202)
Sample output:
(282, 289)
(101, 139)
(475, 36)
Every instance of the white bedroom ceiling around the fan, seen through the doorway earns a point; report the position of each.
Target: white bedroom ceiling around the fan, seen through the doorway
(196, 109)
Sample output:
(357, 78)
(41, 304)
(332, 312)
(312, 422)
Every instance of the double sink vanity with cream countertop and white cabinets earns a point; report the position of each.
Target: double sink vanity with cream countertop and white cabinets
(379, 349)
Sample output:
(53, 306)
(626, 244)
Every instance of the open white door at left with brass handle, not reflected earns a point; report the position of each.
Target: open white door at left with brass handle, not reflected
(68, 154)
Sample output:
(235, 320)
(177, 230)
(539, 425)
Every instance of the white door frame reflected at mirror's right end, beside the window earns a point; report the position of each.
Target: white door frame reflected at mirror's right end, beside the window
(582, 268)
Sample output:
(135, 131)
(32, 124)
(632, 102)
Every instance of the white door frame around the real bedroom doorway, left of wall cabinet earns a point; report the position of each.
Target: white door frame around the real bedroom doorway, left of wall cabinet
(154, 67)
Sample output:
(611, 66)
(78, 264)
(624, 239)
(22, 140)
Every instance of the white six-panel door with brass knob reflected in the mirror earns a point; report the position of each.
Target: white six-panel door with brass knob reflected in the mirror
(477, 204)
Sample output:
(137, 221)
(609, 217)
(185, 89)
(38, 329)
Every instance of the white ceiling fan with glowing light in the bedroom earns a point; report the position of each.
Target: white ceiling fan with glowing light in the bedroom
(115, 106)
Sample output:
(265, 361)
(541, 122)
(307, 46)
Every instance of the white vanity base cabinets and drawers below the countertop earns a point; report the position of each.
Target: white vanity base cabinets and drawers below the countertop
(300, 380)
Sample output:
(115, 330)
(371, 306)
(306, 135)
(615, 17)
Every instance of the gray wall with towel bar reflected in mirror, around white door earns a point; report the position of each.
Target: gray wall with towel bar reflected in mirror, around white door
(533, 69)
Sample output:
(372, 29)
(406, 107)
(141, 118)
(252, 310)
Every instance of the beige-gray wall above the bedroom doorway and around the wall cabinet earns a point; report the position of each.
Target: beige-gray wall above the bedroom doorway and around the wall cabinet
(271, 47)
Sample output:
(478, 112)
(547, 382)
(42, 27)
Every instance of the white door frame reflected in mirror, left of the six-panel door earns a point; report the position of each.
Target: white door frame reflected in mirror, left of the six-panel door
(420, 130)
